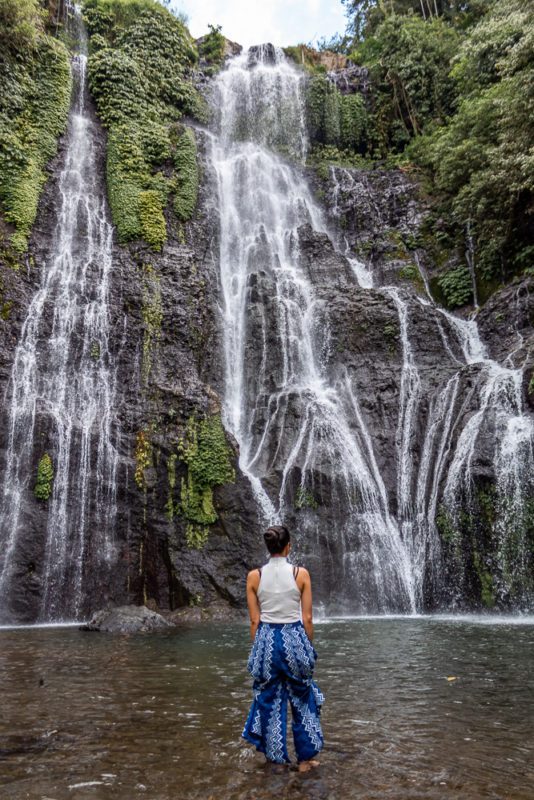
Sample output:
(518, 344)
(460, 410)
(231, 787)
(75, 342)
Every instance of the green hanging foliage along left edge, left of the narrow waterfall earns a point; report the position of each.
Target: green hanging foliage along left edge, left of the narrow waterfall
(35, 85)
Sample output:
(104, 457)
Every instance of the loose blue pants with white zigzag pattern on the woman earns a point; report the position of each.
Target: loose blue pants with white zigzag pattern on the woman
(281, 662)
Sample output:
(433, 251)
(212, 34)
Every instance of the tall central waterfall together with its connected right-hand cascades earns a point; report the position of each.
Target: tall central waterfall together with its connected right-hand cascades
(302, 434)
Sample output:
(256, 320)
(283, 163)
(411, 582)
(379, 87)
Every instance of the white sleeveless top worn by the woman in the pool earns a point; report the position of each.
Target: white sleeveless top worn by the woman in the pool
(278, 593)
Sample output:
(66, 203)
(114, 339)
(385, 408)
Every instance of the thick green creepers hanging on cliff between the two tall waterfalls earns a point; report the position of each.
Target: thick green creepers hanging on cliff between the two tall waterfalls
(141, 83)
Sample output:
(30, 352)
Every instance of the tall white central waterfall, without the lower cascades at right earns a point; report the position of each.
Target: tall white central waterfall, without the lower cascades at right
(279, 403)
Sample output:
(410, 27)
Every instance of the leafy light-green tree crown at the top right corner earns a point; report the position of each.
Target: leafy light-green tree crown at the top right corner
(481, 161)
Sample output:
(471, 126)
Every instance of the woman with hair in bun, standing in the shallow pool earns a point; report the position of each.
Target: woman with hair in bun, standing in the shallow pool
(282, 658)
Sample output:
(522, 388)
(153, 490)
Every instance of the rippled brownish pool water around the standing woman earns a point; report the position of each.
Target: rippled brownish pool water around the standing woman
(93, 716)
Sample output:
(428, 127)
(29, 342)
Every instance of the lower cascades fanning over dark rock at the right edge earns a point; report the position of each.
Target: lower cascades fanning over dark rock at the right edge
(478, 406)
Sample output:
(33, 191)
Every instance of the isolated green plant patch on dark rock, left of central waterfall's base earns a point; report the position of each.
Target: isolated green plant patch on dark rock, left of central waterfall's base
(203, 448)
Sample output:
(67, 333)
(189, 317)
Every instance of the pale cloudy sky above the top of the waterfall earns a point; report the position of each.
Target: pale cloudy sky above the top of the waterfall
(282, 22)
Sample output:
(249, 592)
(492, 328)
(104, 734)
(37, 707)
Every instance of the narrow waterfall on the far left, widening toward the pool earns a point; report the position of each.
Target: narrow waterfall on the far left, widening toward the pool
(62, 396)
